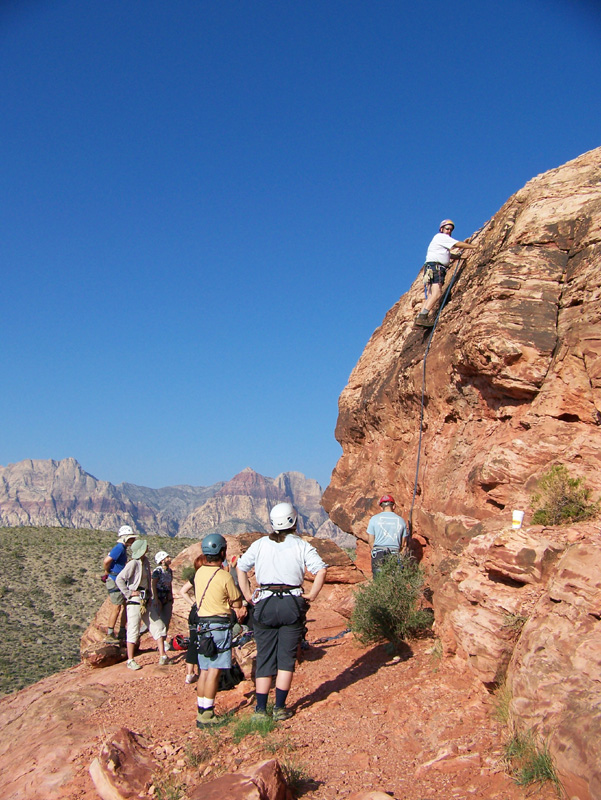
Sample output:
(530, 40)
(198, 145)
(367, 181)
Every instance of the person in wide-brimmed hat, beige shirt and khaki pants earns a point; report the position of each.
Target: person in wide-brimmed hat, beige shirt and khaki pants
(135, 582)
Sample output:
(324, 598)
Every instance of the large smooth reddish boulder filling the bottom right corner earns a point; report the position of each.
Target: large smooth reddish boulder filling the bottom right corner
(555, 669)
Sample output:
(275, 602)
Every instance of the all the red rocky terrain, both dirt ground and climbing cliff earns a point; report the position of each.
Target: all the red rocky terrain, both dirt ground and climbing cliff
(511, 388)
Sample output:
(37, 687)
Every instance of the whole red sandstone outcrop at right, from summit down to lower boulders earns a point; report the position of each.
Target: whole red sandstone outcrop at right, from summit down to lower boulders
(512, 386)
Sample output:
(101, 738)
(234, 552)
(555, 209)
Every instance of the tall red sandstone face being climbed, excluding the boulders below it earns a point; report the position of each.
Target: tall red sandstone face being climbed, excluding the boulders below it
(513, 374)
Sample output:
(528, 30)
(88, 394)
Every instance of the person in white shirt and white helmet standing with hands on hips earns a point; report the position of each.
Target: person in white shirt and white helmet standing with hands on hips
(280, 604)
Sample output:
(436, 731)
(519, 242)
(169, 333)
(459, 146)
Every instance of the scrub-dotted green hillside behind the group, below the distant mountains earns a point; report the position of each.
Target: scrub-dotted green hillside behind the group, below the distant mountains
(50, 589)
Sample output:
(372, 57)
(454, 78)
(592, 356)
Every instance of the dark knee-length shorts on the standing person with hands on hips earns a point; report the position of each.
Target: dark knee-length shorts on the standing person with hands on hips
(279, 624)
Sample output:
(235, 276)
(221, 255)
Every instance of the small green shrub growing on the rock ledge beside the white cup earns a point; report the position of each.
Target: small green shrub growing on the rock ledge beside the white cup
(561, 500)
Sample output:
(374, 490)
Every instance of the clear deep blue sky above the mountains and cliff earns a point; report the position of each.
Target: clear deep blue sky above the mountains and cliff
(208, 207)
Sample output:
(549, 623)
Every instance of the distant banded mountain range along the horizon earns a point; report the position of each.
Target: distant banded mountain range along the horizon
(61, 493)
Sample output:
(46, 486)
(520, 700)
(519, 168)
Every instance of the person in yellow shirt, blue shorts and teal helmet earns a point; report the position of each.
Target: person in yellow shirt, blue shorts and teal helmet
(216, 596)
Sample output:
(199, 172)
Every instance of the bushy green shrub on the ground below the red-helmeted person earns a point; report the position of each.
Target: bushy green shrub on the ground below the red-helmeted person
(389, 606)
